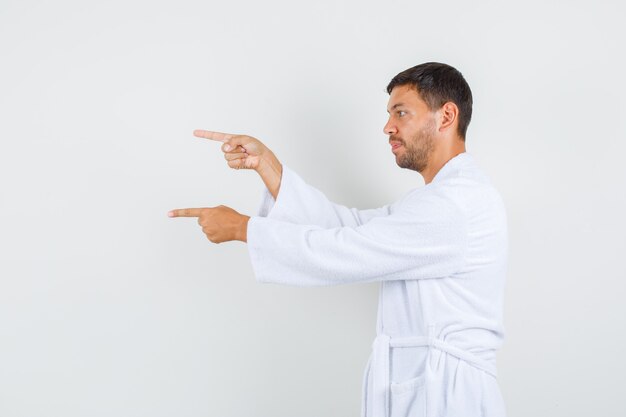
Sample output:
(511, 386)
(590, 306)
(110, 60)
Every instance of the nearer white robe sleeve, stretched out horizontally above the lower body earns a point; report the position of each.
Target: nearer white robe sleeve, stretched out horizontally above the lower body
(426, 237)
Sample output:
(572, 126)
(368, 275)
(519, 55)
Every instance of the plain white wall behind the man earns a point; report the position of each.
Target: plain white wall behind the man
(110, 308)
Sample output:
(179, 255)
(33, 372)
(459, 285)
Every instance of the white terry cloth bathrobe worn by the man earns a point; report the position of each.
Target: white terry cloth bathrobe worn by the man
(440, 255)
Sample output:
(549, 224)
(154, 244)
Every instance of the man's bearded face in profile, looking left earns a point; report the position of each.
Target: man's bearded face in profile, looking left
(411, 128)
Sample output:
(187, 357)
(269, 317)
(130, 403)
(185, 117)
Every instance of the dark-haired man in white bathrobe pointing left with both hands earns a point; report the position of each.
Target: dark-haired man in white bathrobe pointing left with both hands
(439, 252)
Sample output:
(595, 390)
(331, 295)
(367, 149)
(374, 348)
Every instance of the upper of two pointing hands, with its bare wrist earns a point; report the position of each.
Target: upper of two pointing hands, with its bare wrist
(246, 152)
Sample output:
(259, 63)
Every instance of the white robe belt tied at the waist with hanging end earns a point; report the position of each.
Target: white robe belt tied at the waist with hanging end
(381, 372)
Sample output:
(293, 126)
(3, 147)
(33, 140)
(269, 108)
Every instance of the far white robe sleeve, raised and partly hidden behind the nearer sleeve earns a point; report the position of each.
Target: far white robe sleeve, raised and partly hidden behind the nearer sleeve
(300, 203)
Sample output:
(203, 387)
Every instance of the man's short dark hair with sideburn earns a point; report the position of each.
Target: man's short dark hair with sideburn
(438, 83)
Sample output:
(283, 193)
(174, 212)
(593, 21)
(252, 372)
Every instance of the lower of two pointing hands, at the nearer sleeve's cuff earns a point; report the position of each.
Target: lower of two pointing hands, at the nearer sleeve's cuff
(219, 224)
